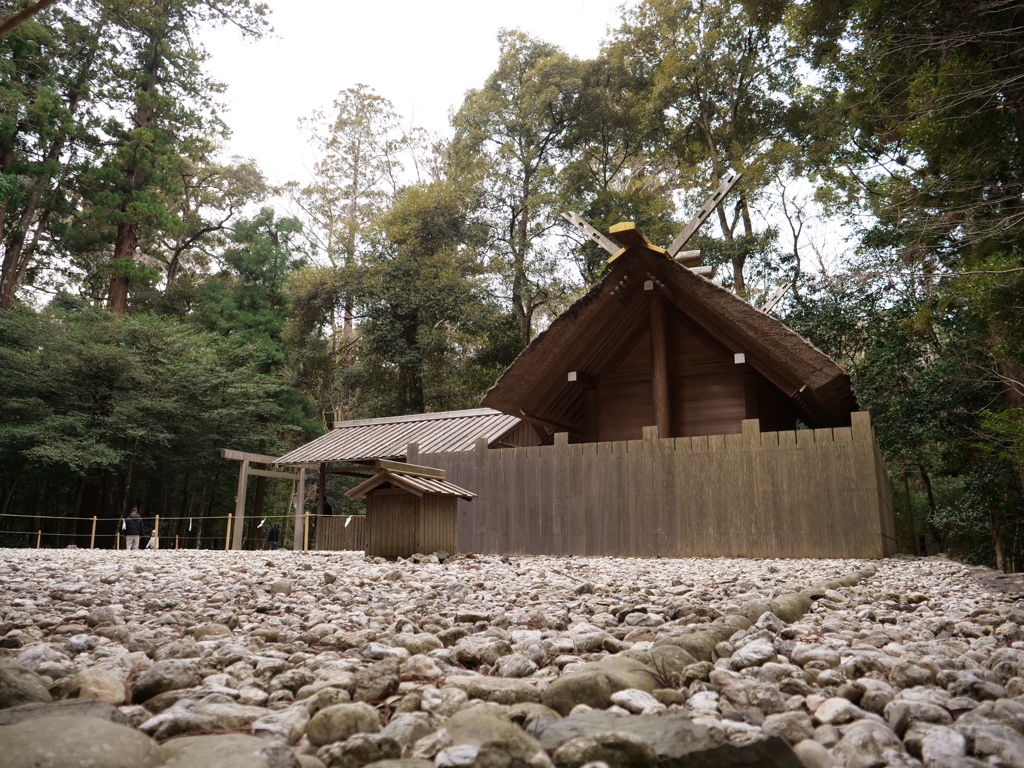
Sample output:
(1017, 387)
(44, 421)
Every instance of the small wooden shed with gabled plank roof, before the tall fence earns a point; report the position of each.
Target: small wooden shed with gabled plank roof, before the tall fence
(410, 509)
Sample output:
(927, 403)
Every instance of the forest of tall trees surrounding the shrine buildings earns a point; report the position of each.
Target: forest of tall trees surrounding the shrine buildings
(160, 302)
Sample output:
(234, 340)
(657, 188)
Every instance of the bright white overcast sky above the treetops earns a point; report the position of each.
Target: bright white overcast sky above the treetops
(421, 56)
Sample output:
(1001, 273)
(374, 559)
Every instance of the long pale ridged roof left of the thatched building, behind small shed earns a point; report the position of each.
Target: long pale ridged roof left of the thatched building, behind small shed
(445, 433)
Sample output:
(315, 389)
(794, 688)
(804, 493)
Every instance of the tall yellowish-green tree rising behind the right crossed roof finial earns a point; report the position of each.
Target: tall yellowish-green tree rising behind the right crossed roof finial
(721, 77)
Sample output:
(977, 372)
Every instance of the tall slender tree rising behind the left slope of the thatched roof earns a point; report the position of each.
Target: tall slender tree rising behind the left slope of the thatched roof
(509, 138)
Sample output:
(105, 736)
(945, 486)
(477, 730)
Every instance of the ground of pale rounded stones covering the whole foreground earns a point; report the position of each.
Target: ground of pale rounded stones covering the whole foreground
(485, 660)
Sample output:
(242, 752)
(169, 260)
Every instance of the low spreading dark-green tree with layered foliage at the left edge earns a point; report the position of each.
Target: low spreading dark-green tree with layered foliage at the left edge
(126, 405)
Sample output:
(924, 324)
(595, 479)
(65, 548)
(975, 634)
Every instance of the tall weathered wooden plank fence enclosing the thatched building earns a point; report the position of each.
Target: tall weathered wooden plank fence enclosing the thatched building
(822, 493)
